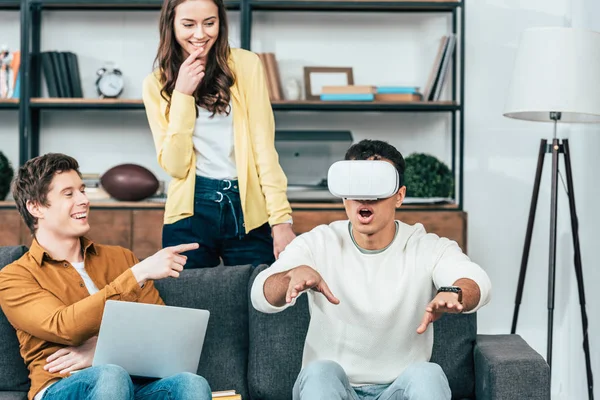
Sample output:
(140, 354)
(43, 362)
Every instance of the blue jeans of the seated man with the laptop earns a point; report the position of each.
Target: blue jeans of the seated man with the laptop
(111, 382)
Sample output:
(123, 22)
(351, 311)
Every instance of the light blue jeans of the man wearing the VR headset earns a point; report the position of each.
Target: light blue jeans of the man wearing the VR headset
(326, 380)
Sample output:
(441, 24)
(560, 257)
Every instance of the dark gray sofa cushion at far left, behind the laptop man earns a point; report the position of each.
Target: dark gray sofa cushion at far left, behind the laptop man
(13, 373)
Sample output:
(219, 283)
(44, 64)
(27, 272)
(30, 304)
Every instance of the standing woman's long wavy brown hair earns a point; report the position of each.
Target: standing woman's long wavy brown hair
(213, 93)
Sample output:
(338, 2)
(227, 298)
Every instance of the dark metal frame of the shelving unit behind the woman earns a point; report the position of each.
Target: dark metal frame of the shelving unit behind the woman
(31, 107)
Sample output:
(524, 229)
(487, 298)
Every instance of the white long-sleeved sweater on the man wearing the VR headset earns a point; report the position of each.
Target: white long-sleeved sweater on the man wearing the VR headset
(372, 332)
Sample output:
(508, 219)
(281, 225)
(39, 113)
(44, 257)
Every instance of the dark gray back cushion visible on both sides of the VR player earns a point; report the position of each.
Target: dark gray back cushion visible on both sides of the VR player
(277, 344)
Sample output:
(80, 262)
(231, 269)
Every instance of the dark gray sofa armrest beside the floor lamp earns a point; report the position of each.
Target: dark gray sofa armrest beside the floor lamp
(506, 367)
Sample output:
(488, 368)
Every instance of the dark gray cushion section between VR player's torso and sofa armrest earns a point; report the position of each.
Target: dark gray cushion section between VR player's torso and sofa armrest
(453, 342)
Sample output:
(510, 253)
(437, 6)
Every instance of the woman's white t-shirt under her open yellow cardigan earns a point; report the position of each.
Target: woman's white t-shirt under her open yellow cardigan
(213, 143)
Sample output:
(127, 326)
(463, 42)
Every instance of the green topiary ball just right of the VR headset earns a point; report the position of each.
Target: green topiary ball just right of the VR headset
(426, 176)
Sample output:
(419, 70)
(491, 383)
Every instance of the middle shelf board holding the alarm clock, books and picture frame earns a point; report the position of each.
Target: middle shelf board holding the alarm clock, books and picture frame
(135, 104)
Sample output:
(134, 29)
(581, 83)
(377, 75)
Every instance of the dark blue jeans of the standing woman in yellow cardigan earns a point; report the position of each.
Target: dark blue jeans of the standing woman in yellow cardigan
(218, 226)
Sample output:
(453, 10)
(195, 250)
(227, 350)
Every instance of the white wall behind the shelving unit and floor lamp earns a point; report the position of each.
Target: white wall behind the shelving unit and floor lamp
(501, 154)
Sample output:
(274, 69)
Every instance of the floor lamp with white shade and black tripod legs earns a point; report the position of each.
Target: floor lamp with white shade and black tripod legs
(556, 78)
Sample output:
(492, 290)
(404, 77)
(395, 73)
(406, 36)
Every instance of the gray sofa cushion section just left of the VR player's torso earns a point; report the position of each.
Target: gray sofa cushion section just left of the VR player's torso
(276, 346)
